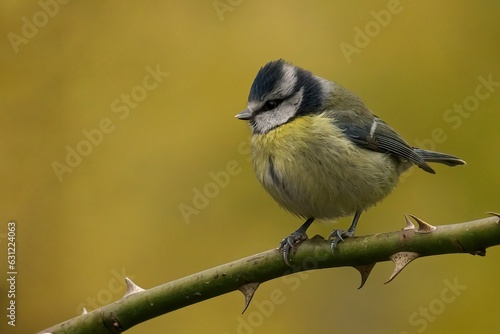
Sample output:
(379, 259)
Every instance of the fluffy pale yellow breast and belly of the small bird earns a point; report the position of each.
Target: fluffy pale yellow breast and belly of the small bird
(313, 170)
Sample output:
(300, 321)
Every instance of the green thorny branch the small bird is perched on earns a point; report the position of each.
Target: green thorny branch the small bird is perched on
(362, 253)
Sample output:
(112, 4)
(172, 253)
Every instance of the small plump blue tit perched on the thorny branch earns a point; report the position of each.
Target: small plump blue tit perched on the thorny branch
(320, 152)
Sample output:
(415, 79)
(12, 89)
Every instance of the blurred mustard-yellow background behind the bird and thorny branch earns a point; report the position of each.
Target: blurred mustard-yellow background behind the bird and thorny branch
(120, 155)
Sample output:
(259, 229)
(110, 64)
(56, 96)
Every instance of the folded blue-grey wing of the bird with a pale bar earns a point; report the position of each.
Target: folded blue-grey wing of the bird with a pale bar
(380, 137)
